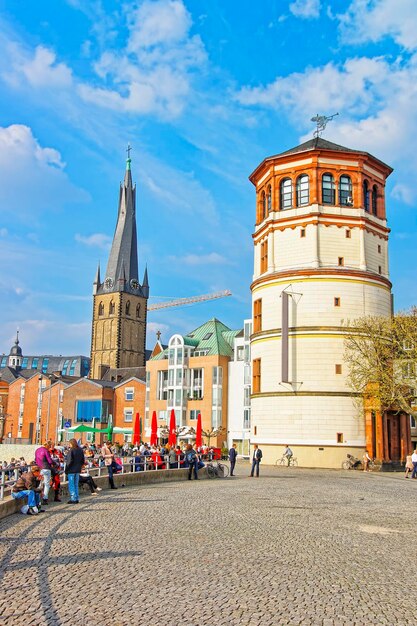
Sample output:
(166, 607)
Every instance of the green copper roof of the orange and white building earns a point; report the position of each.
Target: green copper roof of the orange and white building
(213, 336)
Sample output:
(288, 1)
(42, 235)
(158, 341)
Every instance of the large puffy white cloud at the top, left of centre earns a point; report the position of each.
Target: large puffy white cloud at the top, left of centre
(154, 73)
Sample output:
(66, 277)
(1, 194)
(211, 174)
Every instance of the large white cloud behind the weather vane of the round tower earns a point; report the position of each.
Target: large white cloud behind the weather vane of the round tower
(374, 98)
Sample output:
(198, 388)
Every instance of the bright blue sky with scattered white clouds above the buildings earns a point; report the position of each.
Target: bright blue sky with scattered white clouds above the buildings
(203, 90)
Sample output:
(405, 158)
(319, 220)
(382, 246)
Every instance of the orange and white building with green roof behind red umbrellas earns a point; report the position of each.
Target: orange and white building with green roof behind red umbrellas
(191, 376)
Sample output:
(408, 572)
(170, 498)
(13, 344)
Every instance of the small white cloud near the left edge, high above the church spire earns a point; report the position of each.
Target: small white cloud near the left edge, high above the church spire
(41, 70)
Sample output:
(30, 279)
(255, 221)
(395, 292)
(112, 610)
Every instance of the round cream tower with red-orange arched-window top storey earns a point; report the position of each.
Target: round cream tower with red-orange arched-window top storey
(320, 261)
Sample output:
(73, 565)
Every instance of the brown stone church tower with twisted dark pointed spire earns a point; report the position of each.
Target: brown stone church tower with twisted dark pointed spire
(120, 302)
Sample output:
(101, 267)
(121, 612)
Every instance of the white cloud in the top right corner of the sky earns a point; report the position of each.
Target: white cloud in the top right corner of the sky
(371, 20)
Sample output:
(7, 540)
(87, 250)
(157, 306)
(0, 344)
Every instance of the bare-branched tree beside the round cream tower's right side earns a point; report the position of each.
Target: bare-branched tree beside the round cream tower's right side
(381, 354)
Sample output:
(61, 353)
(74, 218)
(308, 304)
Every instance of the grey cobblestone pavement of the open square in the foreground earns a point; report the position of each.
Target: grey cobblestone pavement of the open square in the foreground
(292, 547)
